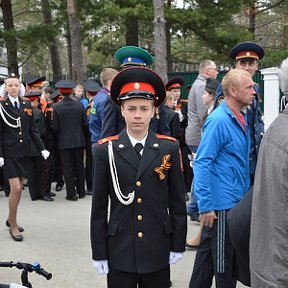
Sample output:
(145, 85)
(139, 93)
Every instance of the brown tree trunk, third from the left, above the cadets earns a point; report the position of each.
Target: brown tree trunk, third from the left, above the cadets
(76, 41)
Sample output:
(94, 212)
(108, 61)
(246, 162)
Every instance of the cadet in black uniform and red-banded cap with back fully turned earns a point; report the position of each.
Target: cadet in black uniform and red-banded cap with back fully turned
(69, 122)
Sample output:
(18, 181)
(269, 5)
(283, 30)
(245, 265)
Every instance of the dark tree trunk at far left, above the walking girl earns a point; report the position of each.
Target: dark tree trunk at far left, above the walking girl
(9, 37)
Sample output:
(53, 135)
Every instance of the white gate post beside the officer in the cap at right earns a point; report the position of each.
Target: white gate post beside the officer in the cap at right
(271, 95)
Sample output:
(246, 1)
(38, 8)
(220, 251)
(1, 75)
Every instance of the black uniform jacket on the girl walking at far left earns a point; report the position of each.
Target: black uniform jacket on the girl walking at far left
(16, 142)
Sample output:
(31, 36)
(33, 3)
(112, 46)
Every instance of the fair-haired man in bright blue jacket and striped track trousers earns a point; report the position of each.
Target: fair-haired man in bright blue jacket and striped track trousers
(221, 179)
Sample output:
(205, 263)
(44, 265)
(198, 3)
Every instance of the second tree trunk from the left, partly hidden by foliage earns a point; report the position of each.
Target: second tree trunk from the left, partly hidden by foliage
(53, 48)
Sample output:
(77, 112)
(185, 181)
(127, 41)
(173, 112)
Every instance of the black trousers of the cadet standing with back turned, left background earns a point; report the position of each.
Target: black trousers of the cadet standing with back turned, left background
(74, 171)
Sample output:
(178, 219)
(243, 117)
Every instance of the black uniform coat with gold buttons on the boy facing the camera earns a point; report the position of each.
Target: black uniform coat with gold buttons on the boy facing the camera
(158, 210)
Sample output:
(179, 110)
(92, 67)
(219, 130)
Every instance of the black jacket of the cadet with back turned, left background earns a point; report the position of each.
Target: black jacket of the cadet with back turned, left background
(69, 122)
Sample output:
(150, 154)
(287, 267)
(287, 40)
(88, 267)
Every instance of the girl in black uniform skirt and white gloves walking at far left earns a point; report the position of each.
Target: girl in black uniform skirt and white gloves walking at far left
(17, 130)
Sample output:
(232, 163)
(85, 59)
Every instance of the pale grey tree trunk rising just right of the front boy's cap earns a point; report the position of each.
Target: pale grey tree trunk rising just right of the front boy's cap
(160, 49)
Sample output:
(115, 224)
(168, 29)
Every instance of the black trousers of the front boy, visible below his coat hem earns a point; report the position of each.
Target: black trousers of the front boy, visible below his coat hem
(157, 279)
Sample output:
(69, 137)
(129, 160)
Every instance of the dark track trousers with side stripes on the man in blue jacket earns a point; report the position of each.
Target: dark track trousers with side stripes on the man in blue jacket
(214, 257)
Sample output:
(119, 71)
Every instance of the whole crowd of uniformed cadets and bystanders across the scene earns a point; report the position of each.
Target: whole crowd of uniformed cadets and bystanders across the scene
(139, 149)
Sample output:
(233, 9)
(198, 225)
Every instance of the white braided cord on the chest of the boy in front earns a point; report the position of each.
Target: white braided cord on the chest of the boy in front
(125, 200)
